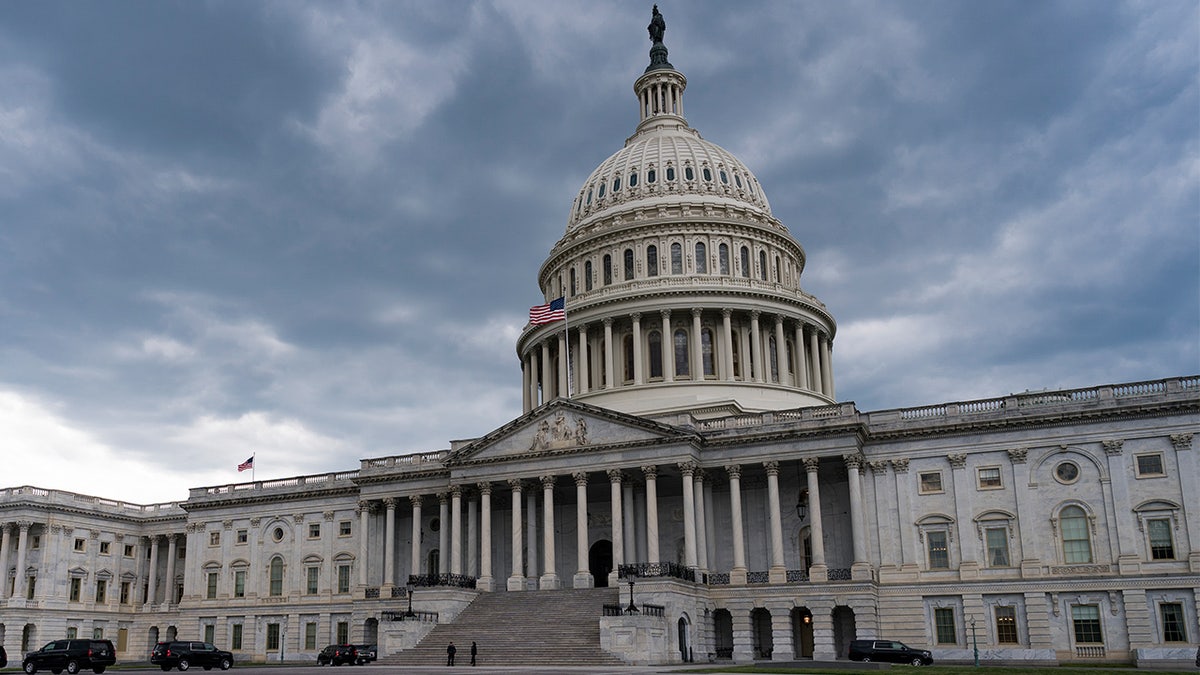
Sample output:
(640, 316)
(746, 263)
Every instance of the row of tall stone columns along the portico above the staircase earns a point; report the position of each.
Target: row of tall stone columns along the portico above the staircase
(700, 536)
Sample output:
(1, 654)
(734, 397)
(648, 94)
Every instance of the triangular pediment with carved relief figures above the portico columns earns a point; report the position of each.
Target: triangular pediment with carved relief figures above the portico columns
(565, 427)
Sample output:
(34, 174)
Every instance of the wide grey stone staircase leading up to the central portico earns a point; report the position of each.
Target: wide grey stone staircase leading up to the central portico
(521, 629)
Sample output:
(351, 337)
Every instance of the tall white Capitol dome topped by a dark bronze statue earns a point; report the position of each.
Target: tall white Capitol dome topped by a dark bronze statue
(682, 290)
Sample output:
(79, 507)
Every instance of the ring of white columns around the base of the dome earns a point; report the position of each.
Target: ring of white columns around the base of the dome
(545, 367)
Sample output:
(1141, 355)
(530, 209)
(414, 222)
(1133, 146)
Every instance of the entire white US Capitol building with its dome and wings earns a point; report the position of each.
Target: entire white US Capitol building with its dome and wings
(683, 485)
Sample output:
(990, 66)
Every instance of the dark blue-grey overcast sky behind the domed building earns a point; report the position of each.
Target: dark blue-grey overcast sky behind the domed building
(311, 232)
